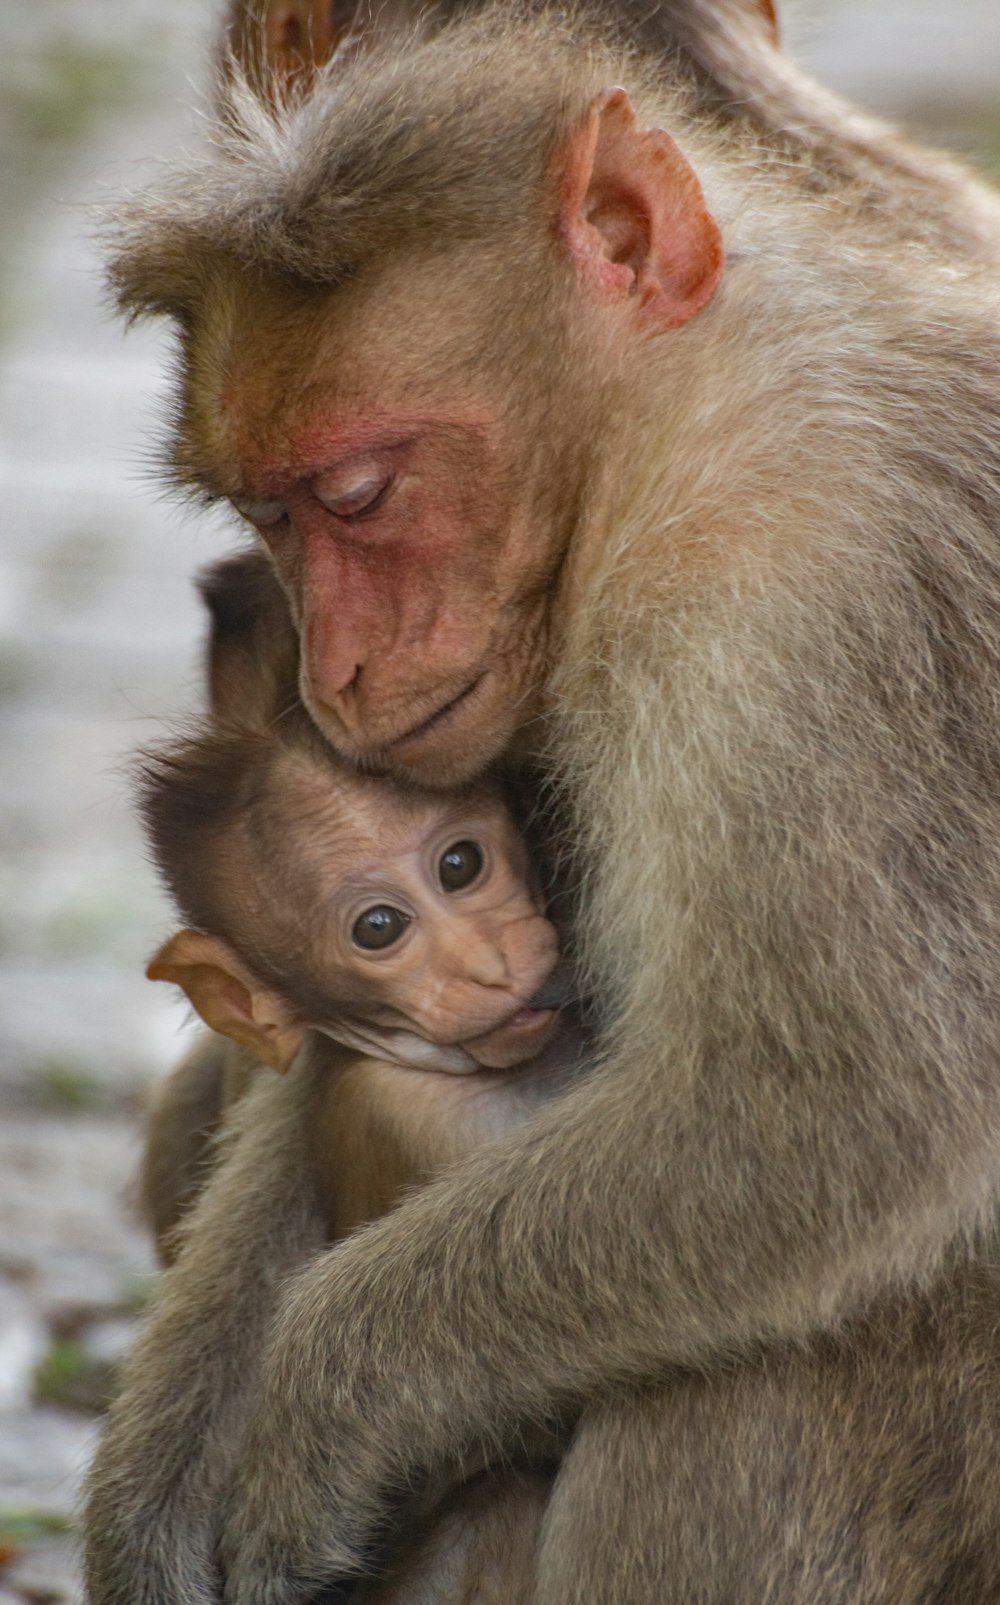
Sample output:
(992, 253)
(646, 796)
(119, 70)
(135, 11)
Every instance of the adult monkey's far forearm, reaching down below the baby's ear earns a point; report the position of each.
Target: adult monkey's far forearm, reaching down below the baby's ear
(152, 1516)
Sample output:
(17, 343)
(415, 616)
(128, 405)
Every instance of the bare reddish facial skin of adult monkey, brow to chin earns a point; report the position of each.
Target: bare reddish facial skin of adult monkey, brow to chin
(405, 547)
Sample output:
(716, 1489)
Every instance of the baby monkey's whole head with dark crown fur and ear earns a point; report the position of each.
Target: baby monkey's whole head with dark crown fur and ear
(391, 919)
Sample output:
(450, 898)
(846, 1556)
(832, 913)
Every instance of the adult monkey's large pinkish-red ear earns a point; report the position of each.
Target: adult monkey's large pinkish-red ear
(635, 219)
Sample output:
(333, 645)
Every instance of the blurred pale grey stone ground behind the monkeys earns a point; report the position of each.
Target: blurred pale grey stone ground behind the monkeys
(99, 648)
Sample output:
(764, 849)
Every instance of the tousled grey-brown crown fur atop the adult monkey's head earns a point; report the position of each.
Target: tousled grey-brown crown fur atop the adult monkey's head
(386, 153)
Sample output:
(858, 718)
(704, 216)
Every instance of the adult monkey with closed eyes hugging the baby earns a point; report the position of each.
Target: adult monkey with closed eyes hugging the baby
(725, 555)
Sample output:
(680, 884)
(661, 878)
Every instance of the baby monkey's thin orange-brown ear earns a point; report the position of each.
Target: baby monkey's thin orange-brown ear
(229, 998)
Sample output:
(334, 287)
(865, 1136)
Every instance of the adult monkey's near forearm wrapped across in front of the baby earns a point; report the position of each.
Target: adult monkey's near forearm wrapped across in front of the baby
(622, 1233)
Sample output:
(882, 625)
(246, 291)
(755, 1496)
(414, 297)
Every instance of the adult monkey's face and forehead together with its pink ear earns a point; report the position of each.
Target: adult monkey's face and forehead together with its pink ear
(418, 444)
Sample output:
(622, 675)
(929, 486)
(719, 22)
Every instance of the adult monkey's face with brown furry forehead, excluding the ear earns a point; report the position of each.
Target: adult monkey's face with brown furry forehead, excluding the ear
(409, 516)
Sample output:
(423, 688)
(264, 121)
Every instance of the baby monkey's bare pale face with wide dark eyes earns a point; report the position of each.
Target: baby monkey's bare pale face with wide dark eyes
(437, 927)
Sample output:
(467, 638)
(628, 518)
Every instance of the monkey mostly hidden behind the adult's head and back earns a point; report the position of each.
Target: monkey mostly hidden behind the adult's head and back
(730, 52)
